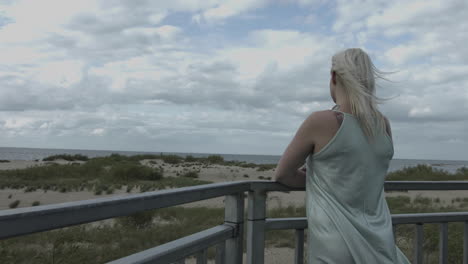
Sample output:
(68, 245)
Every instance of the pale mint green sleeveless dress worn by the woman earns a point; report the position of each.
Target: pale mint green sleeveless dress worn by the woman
(347, 214)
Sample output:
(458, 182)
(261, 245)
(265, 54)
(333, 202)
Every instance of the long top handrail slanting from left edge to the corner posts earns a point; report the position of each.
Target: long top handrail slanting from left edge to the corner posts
(21, 221)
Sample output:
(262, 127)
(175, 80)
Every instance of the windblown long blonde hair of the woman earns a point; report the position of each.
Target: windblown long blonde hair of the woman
(356, 75)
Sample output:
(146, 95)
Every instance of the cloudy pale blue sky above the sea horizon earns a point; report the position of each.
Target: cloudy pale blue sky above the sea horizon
(232, 76)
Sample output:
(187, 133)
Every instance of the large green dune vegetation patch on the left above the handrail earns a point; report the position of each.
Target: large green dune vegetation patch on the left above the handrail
(97, 174)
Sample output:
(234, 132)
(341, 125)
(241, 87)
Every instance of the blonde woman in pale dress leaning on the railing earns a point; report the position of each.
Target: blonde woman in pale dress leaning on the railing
(347, 151)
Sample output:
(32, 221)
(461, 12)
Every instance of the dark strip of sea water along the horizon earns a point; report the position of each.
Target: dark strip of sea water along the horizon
(37, 153)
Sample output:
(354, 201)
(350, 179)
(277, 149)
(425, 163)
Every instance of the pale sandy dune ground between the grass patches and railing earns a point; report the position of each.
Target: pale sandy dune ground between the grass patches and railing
(214, 173)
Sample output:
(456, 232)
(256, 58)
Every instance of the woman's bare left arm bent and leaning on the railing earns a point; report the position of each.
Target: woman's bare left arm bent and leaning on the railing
(287, 170)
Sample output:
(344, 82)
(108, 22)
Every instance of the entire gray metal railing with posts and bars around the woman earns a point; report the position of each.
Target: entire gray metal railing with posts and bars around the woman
(227, 237)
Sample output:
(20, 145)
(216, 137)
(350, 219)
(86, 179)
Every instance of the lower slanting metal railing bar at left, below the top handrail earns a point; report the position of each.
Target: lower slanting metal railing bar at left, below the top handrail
(180, 248)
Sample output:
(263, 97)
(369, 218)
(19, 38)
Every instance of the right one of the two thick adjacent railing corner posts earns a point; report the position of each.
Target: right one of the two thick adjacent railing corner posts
(256, 227)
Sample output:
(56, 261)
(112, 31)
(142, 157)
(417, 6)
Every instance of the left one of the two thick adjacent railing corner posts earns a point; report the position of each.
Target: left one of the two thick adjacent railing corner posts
(234, 215)
